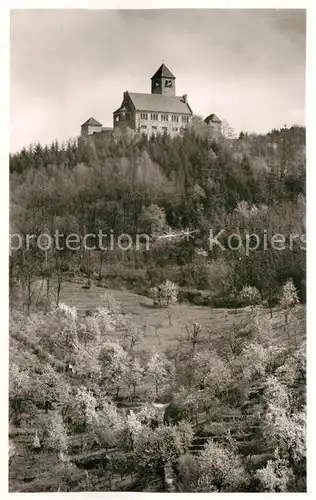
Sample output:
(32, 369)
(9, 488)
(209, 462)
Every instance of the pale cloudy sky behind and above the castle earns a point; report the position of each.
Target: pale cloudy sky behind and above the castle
(247, 66)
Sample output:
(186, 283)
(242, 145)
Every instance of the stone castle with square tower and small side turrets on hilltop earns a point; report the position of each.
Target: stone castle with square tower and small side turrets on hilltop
(160, 112)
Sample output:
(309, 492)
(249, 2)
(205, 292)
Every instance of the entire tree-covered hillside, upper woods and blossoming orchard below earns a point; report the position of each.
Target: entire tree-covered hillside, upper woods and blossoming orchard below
(236, 418)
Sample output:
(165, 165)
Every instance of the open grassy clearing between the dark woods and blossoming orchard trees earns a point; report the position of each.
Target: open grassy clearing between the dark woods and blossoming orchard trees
(158, 333)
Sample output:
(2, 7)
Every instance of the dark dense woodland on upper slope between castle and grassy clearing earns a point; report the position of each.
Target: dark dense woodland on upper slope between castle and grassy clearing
(135, 185)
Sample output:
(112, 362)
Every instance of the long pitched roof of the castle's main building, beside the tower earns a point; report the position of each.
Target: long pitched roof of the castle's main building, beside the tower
(159, 103)
